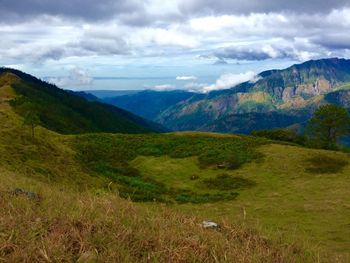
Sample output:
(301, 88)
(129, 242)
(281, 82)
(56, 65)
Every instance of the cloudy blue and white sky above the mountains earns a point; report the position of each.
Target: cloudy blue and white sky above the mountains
(198, 45)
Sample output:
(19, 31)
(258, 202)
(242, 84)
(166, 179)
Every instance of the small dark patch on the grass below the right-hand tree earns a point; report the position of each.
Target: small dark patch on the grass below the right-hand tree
(322, 164)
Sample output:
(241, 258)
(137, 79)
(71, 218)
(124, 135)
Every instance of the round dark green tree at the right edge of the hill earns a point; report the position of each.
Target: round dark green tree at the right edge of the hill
(327, 125)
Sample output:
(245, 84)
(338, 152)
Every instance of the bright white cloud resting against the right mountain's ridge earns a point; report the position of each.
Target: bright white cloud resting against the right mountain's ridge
(230, 80)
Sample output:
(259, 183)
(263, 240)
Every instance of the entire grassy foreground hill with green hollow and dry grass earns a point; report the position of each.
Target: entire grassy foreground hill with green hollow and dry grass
(295, 199)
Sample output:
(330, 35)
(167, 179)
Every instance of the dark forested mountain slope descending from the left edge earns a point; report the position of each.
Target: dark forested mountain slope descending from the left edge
(67, 113)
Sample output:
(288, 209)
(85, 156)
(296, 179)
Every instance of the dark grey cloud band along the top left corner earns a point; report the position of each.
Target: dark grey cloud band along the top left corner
(82, 9)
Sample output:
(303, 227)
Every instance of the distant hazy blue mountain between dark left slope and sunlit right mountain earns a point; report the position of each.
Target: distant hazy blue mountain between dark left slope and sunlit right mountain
(149, 104)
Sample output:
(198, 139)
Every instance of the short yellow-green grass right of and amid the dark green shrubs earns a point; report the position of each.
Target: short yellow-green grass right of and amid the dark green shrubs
(290, 197)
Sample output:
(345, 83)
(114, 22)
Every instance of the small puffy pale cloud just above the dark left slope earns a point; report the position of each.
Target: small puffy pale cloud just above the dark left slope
(76, 77)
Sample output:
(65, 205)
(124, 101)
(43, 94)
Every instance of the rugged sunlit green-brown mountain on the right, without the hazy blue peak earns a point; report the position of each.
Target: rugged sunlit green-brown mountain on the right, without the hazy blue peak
(298, 89)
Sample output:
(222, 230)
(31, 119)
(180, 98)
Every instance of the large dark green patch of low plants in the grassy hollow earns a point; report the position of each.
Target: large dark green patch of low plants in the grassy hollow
(111, 156)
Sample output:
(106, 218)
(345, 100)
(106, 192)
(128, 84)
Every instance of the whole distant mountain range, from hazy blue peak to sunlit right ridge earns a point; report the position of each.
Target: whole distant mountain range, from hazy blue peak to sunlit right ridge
(278, 98)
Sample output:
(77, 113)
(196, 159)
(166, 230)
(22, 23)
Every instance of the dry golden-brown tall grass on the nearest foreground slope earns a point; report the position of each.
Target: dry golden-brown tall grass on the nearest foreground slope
(66, 226)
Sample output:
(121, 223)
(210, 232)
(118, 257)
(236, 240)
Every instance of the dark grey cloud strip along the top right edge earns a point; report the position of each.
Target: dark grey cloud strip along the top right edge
(259, 6)
